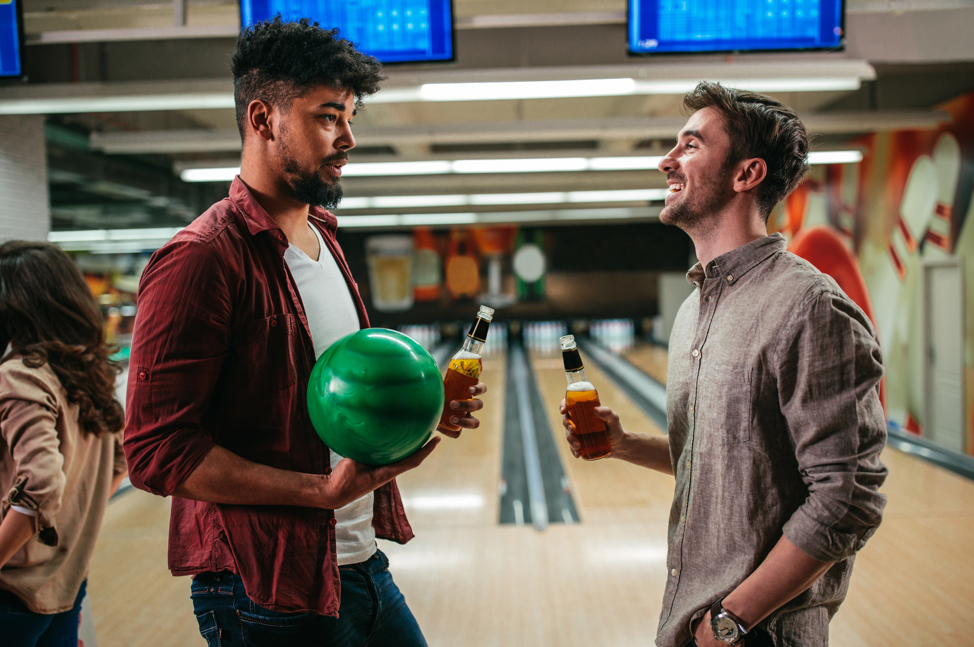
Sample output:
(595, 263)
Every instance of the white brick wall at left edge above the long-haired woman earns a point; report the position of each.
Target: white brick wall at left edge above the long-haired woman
(25, 211)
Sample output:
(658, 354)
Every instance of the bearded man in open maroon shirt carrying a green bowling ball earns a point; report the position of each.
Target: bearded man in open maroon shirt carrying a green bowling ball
(277, 531)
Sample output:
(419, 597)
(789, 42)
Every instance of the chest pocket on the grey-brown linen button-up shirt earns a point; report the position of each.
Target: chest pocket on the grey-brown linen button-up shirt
(725, 405)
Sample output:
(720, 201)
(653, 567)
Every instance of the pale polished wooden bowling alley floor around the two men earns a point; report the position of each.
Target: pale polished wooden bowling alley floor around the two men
(473, 582)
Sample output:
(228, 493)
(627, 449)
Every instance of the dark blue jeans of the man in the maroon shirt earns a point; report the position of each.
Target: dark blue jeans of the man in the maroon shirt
(373, 612)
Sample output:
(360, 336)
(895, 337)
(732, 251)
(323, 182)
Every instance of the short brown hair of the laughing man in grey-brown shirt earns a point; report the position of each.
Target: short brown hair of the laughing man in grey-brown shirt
(762, 127)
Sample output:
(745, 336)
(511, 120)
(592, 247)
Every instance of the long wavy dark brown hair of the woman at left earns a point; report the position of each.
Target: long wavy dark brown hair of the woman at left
(48, 315)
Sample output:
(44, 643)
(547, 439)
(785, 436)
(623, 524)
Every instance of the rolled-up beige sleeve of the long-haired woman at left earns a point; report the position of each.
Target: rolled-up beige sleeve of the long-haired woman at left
(28, 422)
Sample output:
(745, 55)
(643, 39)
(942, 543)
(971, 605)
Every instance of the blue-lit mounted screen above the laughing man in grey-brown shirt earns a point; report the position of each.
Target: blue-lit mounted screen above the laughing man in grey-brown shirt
(691, 26)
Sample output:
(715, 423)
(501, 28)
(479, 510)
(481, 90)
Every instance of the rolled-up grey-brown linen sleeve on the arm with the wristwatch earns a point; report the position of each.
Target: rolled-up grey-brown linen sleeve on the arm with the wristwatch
(830, 367)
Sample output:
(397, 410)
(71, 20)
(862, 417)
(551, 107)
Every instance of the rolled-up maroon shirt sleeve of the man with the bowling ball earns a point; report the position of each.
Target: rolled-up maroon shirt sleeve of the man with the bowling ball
(181, 338)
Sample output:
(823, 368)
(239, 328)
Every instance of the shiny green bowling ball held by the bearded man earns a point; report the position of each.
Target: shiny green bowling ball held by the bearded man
(375, 396)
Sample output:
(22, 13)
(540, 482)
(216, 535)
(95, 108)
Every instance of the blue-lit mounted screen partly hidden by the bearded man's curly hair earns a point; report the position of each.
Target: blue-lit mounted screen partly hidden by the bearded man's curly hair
(394, 31)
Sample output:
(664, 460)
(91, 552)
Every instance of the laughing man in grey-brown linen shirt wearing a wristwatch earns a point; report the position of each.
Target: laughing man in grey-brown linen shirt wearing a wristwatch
(775, 423)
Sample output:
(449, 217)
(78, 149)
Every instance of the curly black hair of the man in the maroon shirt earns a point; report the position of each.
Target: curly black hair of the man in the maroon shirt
(276, 61)
